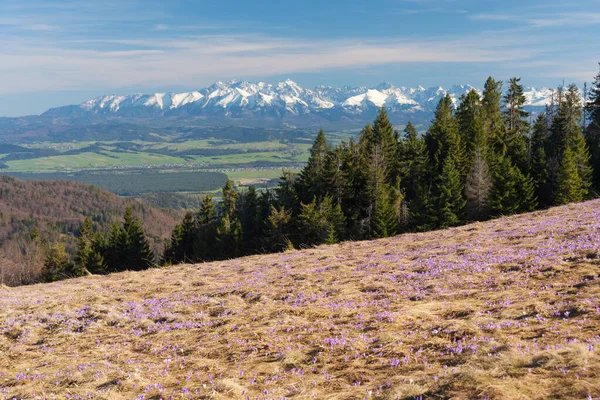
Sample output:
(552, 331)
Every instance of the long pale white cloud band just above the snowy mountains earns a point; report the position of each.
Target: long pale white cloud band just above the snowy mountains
(29, 65)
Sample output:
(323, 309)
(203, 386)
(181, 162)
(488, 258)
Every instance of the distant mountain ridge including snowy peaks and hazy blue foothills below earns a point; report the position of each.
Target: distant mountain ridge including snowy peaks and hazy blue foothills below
(258, 108)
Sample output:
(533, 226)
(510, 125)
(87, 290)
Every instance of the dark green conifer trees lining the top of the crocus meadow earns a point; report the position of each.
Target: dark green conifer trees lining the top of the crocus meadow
(482, 158)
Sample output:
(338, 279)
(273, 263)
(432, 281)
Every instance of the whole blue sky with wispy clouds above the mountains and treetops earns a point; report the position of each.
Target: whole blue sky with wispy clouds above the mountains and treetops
(56, 53)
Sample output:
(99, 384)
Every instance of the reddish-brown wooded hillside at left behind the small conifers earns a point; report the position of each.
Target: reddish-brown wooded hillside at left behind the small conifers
(35, 214)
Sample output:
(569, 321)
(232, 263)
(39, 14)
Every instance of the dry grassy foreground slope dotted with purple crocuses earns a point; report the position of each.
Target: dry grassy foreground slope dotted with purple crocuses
(504, 309)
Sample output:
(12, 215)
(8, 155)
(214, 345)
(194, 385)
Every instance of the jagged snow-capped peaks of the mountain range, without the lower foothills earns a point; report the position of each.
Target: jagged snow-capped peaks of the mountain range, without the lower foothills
(242, 99)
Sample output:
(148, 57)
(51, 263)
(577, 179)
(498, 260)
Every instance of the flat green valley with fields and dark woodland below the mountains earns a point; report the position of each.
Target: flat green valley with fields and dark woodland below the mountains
(158, 166)
